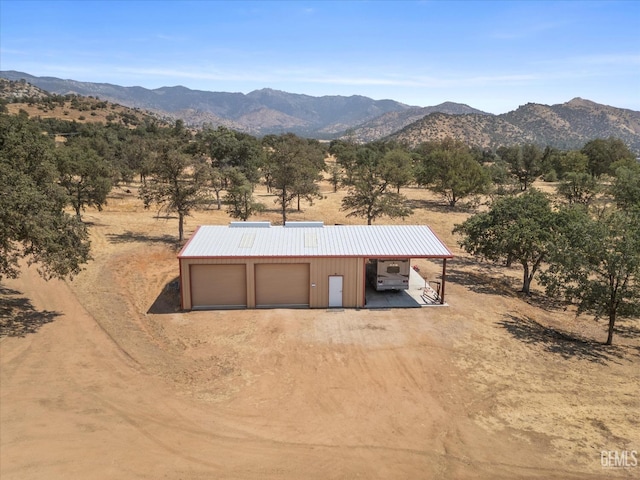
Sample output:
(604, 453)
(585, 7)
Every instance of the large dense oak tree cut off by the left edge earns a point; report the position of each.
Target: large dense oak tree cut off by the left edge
(33, 223)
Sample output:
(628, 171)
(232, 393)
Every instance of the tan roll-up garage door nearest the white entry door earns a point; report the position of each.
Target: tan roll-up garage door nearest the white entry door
(282, 285)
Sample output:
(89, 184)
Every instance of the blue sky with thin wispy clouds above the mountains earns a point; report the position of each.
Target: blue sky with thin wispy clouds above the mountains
(493, 56)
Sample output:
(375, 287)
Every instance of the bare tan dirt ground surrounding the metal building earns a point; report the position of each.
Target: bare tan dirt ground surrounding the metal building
(103, 377)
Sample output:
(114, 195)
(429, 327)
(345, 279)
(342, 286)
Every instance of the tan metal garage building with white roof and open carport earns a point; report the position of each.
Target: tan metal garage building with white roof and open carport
(301, 264)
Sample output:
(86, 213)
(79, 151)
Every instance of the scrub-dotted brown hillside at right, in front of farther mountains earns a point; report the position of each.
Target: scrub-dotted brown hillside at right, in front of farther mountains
(568, 125)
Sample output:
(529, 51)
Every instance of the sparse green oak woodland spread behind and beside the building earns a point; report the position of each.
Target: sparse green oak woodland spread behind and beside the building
(584, 238)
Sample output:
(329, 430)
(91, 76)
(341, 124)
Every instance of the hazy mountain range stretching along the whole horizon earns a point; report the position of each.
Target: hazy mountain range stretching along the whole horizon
(265, 111)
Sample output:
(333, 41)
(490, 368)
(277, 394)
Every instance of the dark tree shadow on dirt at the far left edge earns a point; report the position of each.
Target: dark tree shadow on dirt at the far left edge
(18, 318)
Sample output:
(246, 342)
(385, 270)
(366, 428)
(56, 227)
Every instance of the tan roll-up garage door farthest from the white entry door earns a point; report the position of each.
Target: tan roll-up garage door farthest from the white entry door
(218, 286)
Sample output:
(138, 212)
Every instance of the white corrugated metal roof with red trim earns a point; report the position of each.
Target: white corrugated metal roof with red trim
(411, 241)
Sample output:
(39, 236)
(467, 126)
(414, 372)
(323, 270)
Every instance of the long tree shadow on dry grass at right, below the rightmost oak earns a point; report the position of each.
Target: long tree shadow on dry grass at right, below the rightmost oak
(565, 344)
